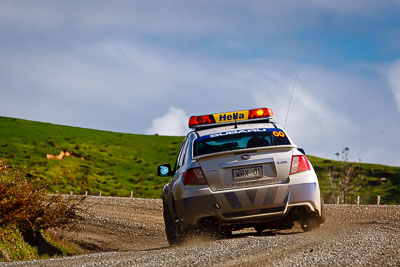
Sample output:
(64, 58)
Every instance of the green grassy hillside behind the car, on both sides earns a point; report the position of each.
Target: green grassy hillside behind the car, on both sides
(117, 163)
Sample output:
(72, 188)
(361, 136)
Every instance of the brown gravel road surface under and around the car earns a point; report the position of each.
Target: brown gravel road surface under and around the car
(130, 232)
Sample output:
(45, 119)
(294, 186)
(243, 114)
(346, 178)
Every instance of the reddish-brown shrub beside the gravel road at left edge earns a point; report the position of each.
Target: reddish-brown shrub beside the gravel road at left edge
(25, 203)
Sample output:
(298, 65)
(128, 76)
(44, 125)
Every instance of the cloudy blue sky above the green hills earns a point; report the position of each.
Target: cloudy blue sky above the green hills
(144, 67)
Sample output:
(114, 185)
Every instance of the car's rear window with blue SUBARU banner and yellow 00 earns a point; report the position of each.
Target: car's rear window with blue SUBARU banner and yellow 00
(239, 139)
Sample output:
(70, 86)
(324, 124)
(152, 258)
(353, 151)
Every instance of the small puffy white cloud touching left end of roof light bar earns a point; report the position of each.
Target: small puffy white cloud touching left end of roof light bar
(174, 123)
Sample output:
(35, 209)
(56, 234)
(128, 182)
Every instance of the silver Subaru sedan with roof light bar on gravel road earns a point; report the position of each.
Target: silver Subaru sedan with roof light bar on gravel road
(235, 170)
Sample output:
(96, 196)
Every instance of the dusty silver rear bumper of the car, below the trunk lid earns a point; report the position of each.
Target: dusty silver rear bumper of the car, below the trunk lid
(252, 205)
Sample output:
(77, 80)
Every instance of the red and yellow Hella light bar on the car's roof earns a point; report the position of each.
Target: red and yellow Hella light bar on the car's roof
(230, 117)
